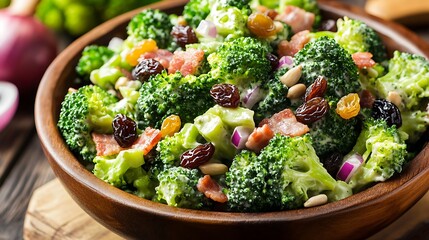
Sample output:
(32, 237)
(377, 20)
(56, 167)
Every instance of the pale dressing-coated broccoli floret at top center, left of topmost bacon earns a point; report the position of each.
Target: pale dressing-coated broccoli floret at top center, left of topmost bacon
(230, 18)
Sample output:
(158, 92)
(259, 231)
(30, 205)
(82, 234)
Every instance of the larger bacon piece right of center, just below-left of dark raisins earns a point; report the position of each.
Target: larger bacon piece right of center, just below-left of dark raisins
(285, 123)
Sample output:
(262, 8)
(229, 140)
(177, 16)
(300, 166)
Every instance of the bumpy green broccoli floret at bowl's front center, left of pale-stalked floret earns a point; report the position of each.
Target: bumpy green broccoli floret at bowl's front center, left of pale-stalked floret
(247, 187)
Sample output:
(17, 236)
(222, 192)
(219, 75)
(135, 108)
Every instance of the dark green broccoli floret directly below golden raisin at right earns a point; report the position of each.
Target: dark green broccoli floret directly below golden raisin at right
(333, 133)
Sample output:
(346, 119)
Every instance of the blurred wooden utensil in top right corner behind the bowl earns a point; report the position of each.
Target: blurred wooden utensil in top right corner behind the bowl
(405, 11)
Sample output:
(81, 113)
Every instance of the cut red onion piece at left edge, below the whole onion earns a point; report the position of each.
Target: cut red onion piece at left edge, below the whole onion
(8, 102)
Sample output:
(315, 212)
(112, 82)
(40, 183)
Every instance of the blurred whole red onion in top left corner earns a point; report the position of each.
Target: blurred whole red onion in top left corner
(27, 47)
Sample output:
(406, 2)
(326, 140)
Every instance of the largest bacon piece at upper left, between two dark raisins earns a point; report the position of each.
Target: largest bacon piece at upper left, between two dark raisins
(186, 62)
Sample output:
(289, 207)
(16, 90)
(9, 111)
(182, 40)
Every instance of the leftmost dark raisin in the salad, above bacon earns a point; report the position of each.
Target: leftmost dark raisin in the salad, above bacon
(124, 130)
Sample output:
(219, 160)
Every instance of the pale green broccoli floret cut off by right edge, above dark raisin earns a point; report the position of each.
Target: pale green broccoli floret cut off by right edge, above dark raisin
(408, 74)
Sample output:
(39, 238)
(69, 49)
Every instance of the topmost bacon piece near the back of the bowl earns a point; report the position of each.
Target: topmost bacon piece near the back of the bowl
(297, 18)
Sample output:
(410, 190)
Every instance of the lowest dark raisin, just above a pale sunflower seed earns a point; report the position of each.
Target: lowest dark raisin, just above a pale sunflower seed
(197, 156)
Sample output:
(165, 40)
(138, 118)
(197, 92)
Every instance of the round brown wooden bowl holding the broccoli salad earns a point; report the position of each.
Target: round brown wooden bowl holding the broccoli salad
(356, 217)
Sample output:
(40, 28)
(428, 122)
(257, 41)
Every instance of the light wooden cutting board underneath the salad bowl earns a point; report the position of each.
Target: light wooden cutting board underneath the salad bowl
(53, 214)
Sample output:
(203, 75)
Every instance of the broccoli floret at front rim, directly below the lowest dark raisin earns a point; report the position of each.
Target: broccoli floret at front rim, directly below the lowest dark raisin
(178, 187)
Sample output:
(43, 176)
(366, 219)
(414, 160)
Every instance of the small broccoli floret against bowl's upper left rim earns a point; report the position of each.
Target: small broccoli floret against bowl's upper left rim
(93, 57)
